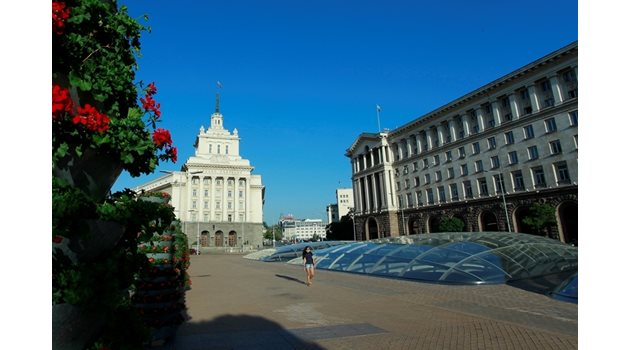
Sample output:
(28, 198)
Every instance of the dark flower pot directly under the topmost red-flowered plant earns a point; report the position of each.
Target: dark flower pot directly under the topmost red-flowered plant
(92, 172)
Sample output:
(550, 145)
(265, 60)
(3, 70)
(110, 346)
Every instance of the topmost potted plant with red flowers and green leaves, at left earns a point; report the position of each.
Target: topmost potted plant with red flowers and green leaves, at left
(100, 124)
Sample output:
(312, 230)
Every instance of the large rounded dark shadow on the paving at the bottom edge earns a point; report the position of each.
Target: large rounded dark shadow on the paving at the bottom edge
(235, 332)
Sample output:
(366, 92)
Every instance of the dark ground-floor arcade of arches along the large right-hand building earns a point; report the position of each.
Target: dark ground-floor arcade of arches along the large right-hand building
(489, 217)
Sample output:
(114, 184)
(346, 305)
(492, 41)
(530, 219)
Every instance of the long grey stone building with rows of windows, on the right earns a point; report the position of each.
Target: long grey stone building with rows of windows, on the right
(520, 129)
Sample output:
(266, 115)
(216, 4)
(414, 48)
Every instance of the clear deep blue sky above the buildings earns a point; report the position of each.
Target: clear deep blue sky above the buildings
(301, 80)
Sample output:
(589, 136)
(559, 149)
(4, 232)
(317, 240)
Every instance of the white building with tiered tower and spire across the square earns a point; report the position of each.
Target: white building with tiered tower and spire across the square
(216, 195)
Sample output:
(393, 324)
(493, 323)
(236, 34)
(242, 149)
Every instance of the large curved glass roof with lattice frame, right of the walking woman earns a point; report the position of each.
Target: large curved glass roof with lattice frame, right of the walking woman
(458, 258)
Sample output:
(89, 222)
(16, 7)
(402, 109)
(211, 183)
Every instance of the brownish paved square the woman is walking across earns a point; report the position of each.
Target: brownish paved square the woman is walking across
(237, 303)
